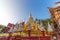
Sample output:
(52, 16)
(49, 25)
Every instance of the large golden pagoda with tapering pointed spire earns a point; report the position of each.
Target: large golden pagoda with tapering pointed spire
(33, 25)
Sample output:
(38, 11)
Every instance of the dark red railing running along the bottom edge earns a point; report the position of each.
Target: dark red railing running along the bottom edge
(26, 38)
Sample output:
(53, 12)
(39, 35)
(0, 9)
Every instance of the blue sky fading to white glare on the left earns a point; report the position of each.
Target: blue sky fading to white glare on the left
(12, 11)
